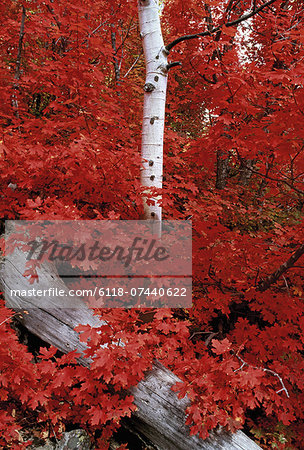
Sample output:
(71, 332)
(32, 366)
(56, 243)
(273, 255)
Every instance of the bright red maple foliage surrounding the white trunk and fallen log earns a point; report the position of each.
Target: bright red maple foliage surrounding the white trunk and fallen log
(72, 78)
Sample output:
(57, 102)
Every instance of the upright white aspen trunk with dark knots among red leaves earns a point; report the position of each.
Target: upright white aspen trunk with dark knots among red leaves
(154, 102)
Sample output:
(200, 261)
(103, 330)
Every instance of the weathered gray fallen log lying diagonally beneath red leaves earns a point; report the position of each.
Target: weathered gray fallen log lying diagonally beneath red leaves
(160, 415)
